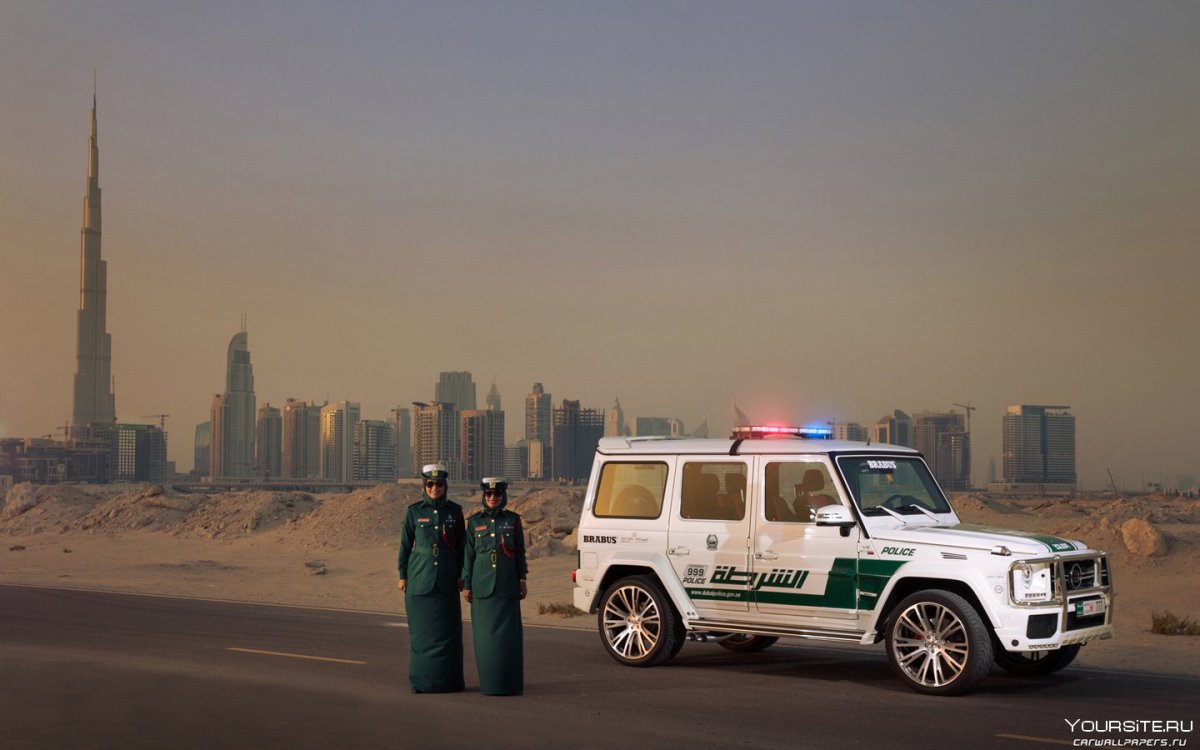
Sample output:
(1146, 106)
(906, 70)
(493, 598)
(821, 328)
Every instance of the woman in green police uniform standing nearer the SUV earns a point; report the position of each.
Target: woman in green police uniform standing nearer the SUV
(494, 579)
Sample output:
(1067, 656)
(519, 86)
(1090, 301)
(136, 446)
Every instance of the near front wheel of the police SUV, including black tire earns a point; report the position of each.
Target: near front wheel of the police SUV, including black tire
(938, 644)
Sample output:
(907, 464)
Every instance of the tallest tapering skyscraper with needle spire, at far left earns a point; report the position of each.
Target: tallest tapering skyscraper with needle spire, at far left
(94, 400)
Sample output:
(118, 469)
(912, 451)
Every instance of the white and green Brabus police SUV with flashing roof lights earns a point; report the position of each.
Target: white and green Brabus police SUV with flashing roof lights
(777, 532)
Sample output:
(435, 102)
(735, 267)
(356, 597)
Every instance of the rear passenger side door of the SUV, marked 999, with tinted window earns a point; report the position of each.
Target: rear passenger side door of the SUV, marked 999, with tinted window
(710, 535)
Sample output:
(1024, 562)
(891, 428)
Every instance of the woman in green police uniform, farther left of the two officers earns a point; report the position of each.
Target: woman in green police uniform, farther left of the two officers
(430, 565)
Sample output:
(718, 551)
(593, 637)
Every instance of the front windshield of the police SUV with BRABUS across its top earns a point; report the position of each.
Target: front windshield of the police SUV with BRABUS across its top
(898, 484)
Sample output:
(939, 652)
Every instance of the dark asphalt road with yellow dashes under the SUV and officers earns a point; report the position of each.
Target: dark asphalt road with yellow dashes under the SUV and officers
(98, 670)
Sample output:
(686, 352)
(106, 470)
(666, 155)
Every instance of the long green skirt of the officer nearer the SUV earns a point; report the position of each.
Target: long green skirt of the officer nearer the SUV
(500, 653)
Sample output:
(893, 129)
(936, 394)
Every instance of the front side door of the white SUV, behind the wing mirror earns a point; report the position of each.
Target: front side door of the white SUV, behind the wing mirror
(801, 569)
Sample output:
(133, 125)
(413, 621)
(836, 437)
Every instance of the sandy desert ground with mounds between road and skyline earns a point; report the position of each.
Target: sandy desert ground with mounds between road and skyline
(340, 551)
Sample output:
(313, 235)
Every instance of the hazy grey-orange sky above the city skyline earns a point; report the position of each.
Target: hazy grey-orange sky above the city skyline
(829, 209)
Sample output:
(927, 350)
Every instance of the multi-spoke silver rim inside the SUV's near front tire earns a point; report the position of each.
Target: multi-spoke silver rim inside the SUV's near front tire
(931, 644)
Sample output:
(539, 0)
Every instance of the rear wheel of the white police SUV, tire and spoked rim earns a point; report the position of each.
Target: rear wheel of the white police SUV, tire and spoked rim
(639, 626)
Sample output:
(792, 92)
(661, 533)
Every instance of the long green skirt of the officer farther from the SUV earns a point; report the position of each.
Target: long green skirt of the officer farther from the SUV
(435, 643)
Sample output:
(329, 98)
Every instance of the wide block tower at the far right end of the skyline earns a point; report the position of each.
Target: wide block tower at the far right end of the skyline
(1040, 448)
